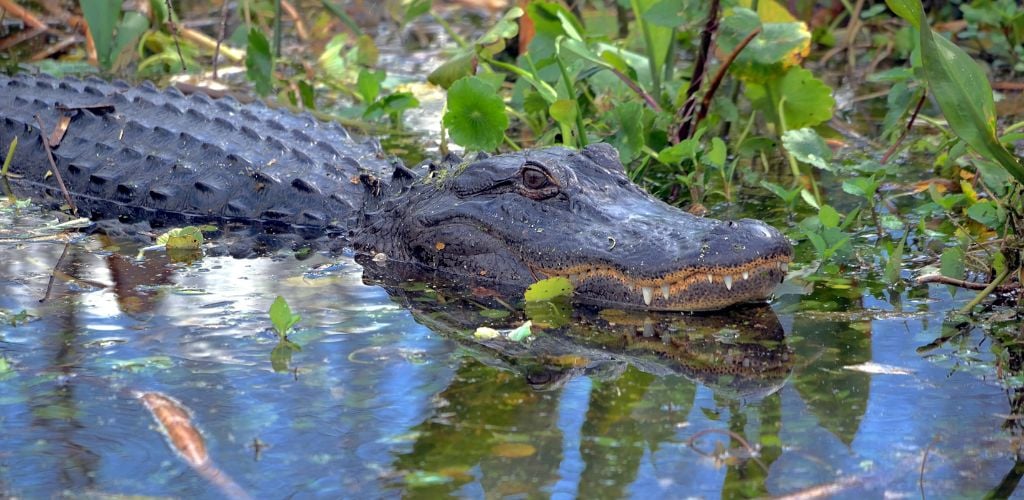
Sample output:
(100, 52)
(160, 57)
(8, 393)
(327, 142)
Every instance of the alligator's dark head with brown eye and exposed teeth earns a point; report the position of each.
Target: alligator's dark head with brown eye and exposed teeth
(525, 217)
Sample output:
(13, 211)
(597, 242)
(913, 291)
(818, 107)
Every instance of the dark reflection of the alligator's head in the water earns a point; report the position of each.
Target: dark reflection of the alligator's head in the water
(741, 352)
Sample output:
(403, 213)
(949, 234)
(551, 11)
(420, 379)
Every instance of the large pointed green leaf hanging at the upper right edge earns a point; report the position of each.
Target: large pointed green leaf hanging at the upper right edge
(964, 95)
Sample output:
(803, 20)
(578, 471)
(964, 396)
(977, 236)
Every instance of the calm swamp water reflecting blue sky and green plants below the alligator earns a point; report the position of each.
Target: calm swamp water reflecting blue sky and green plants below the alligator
(393, 396)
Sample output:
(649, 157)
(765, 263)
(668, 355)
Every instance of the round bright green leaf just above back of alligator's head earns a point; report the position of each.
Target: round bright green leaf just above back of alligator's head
(476, 115)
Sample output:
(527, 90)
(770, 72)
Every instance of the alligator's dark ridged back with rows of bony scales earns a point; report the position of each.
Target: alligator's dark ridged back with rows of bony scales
(153, 155)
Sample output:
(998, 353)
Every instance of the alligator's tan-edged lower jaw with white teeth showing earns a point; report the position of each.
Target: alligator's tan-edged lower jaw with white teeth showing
(702, 288)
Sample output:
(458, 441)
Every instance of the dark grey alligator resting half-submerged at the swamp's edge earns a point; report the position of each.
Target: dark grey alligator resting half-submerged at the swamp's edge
(142, 154)
